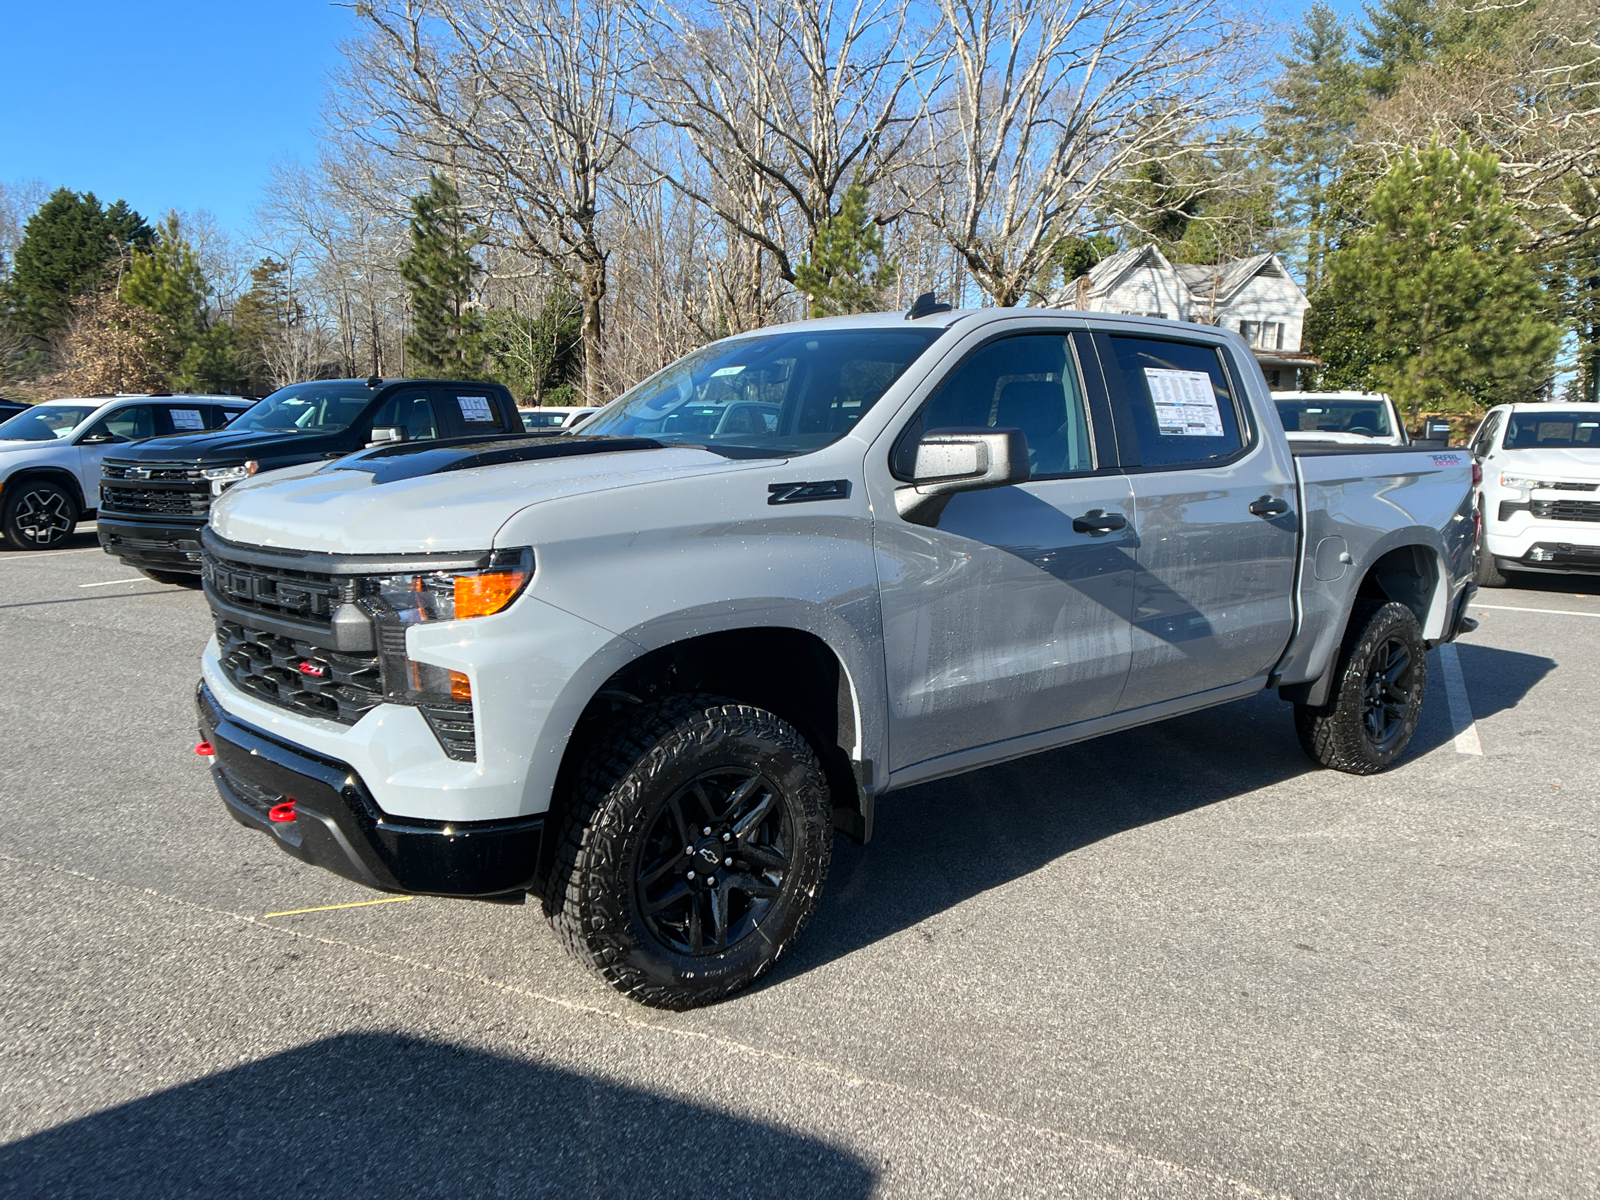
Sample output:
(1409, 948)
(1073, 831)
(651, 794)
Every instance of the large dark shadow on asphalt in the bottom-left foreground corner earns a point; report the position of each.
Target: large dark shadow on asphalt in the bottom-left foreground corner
(388, 1116)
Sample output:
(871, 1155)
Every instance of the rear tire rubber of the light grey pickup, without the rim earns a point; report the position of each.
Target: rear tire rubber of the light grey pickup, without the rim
(1337, 734)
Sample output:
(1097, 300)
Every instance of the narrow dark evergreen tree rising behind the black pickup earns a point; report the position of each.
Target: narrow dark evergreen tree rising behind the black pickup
(447, 326)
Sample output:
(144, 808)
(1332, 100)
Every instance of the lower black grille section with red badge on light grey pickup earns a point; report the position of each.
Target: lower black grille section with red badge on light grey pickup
(298, 676)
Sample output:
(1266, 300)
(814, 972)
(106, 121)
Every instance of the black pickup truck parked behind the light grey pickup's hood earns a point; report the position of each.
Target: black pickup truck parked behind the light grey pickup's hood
(156, 497)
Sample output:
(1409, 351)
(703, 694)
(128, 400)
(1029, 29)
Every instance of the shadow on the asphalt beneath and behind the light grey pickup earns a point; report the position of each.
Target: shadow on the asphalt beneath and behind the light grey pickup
(940, 844)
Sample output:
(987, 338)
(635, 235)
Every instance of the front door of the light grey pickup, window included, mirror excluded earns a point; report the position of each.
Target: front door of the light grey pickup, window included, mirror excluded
(1010, 614)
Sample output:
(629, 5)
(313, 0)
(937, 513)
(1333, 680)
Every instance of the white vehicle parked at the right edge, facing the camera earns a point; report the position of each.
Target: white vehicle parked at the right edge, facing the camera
(1542, 490)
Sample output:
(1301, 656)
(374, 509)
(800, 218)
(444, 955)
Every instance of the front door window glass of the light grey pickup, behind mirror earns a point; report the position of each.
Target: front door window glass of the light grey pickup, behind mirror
(1025, 383)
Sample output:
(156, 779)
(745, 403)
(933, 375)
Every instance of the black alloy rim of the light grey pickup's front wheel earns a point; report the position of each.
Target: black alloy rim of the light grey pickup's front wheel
(714, 860)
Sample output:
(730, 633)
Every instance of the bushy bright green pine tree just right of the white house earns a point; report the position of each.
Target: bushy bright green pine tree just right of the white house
(1457, 311)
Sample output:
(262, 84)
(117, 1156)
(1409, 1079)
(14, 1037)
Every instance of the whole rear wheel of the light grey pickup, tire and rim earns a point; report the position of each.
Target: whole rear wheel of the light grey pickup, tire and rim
(1377, 695)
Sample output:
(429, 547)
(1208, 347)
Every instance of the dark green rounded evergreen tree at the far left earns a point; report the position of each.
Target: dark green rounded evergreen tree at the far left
(70, 246)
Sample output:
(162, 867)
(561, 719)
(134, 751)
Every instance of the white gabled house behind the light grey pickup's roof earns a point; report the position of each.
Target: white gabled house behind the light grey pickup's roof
(1255, 295)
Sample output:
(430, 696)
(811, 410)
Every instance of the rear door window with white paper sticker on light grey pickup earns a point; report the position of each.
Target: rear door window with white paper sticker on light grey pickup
(1178, 398)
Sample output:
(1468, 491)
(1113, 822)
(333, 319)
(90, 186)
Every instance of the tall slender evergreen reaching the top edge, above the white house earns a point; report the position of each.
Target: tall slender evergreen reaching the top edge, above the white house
(1311, 124)
